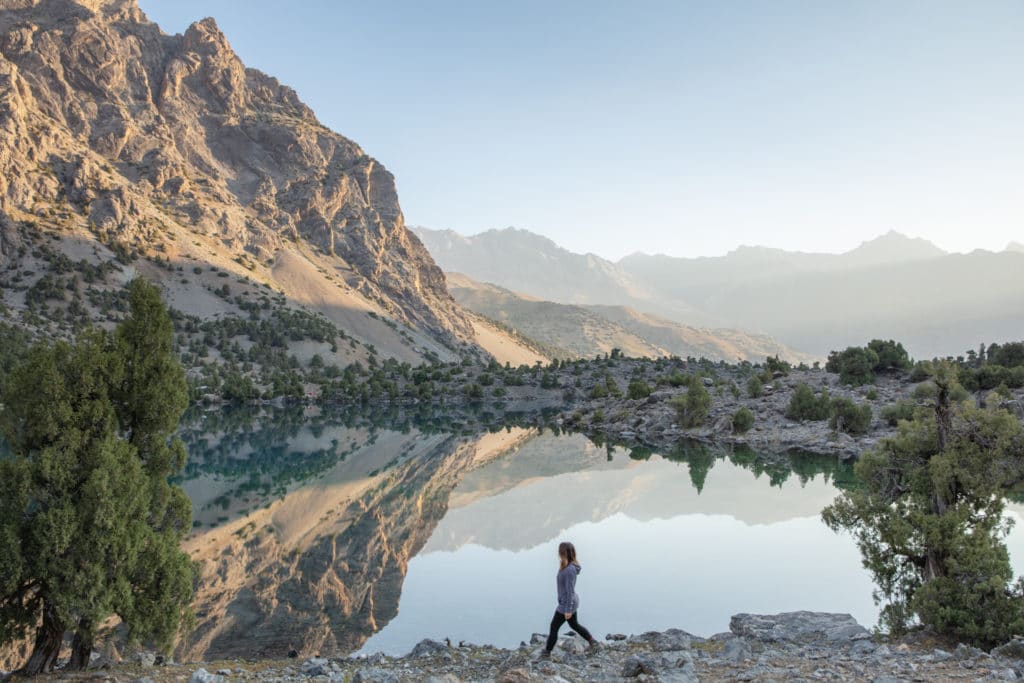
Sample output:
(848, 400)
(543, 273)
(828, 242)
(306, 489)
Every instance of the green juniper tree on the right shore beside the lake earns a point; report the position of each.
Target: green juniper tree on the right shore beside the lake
(928, 519)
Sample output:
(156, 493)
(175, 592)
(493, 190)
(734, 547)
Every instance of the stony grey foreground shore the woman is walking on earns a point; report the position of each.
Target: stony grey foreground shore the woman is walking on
(793, 647)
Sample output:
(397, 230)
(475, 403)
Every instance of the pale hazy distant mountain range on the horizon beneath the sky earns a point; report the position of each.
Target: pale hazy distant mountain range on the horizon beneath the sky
(893, 287)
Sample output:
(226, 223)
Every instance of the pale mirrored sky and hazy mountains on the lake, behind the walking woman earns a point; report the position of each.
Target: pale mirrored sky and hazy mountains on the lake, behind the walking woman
(657, 553)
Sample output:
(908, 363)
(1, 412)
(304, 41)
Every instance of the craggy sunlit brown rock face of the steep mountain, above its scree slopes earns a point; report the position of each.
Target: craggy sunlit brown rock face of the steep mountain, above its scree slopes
(108, 121)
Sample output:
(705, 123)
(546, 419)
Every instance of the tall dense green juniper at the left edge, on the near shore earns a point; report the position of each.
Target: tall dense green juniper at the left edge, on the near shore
(90, 525)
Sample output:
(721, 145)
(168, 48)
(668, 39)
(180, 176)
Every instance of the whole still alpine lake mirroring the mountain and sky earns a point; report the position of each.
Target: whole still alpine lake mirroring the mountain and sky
(337, 531)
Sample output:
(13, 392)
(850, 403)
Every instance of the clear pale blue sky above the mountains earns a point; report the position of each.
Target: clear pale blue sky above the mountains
(677, 127)
